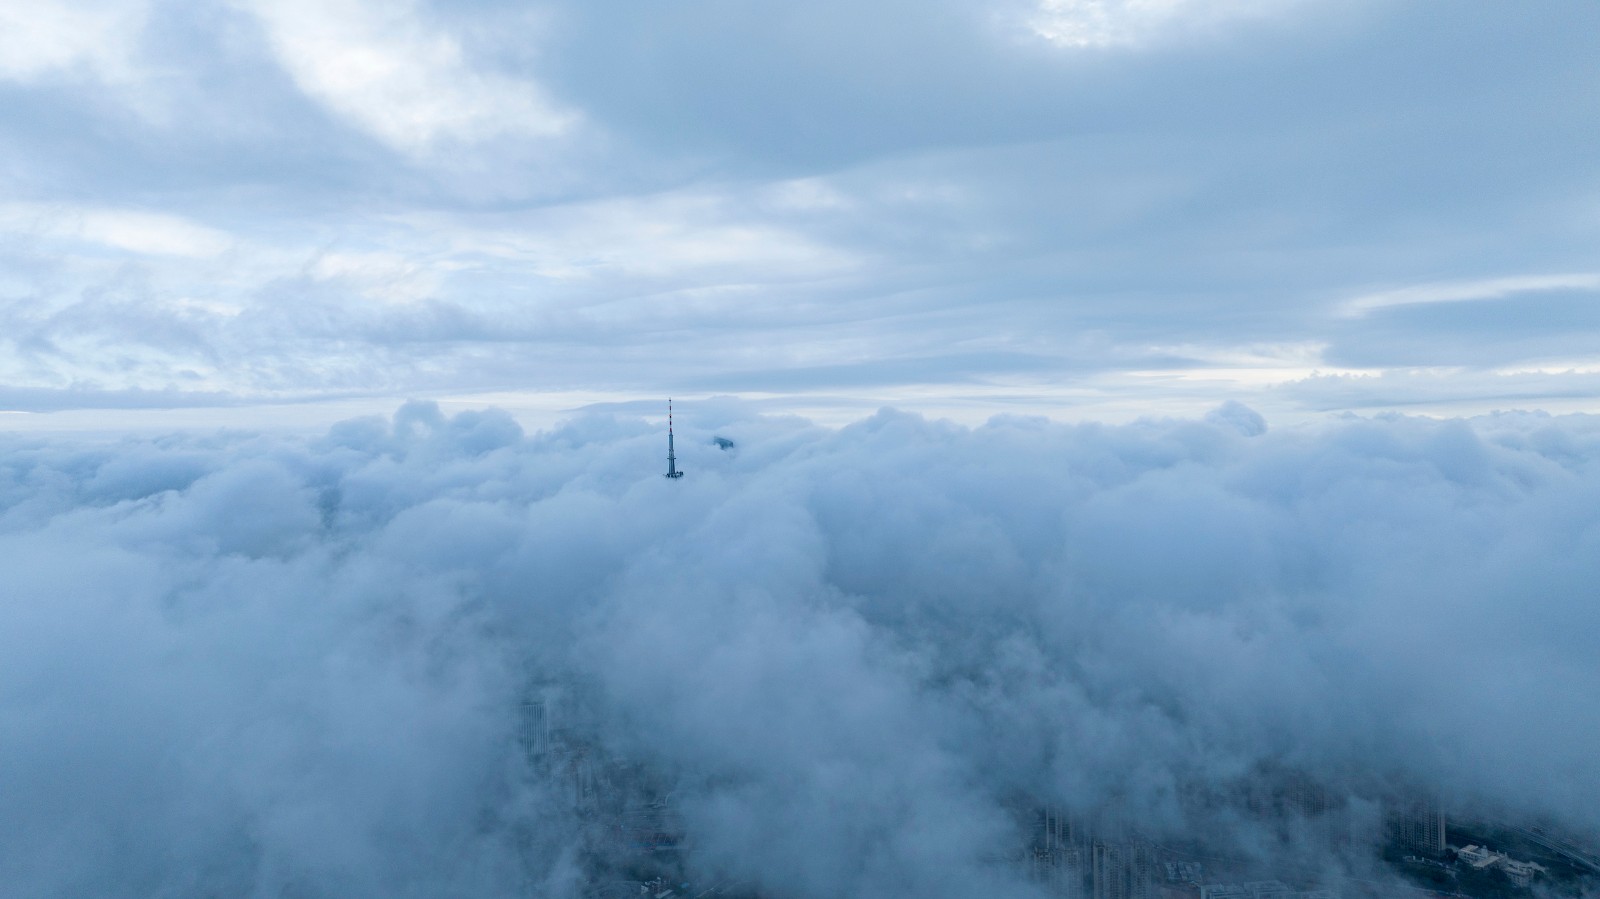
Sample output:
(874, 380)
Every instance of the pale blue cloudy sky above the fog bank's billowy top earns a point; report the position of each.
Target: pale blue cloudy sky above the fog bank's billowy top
(290, 212)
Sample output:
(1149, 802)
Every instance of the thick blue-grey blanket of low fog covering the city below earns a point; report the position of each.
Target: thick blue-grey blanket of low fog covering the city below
(254, 665)
